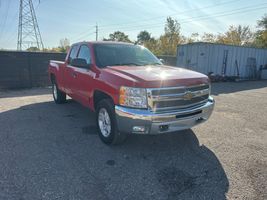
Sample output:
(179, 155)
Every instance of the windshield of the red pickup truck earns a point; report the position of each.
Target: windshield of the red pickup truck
(123, 54)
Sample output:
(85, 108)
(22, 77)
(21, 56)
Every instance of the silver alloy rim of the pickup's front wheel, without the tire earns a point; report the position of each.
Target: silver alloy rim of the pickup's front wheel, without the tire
(104, 122)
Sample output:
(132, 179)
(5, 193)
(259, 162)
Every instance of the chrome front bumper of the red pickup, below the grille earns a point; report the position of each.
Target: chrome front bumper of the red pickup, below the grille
(139, 121)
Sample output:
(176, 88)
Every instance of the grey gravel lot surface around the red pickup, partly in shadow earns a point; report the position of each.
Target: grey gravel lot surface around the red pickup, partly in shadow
(50, 151)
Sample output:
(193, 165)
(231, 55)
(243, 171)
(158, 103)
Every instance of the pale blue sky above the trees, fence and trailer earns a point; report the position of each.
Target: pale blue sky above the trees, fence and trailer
(76, 19)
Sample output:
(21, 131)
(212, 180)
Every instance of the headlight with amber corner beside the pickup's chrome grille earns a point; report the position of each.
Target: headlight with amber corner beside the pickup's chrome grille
(133, 97)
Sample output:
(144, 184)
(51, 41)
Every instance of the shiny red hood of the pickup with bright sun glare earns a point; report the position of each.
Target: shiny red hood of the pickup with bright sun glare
(158, 76)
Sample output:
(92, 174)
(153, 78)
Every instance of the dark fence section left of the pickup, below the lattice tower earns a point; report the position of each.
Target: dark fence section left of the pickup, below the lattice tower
(20, 69)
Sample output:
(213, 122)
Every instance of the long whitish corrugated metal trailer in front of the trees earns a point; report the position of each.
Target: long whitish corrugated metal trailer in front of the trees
(221, 59)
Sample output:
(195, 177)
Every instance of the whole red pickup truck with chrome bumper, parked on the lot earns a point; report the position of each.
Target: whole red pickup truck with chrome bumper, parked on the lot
(130, 90)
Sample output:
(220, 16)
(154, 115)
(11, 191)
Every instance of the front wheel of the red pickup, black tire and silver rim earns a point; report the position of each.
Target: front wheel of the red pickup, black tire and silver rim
(106, 123)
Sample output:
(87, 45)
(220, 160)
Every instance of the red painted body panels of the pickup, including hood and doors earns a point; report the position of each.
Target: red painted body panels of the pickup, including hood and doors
(110, 79)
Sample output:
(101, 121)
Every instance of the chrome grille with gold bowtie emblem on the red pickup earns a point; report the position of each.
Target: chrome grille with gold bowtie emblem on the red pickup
(164, 99)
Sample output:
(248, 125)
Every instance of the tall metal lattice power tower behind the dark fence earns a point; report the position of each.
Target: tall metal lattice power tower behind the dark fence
(28, 32)
